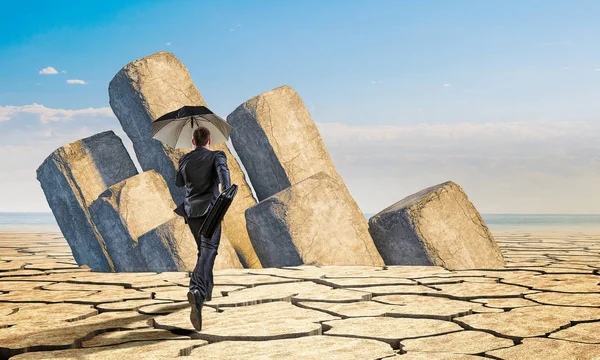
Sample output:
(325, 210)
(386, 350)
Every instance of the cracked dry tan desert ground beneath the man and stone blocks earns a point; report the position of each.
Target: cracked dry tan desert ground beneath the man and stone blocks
(544, 305)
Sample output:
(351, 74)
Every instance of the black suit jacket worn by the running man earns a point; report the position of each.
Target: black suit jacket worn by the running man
(201, 171)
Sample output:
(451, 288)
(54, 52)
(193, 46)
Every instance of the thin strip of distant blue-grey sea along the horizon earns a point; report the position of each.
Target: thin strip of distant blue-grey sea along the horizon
(32, 222)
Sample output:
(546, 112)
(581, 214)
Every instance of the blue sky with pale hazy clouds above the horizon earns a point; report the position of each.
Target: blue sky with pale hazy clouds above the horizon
(499, 96)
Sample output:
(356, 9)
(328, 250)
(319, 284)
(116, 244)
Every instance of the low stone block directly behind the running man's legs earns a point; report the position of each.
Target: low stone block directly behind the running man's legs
(171, 247)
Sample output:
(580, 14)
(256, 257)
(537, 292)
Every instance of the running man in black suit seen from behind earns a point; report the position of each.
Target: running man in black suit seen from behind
(201, 171)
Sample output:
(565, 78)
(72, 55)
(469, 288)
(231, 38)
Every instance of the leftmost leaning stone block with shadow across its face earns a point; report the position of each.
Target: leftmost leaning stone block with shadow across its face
(72, 177)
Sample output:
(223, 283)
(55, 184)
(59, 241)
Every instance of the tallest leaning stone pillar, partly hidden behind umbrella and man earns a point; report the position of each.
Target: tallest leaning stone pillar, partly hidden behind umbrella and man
(148, 88)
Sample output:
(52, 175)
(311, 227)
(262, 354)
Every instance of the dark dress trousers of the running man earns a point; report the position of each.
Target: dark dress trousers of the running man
(202, 276)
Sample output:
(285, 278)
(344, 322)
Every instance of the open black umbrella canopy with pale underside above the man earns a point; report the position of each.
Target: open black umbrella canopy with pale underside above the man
(177, 127)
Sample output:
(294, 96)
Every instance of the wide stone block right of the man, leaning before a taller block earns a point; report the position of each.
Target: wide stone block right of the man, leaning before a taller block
(312, 222)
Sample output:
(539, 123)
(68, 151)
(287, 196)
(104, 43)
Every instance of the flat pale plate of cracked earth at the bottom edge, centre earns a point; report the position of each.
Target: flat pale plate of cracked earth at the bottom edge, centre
(306, 348)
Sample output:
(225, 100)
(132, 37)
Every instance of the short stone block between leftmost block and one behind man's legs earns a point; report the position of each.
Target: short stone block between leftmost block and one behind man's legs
(128, 210)
